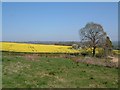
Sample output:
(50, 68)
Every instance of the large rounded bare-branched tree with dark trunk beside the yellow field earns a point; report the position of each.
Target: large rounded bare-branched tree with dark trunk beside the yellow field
(93, 35)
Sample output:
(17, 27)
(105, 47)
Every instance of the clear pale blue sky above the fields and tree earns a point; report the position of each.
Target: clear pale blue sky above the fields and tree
(56, 21)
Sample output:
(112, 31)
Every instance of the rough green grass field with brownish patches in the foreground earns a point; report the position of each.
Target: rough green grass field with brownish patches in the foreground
(34, 71)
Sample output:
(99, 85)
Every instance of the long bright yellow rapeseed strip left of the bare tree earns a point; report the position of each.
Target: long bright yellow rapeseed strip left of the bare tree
(37, 48)
